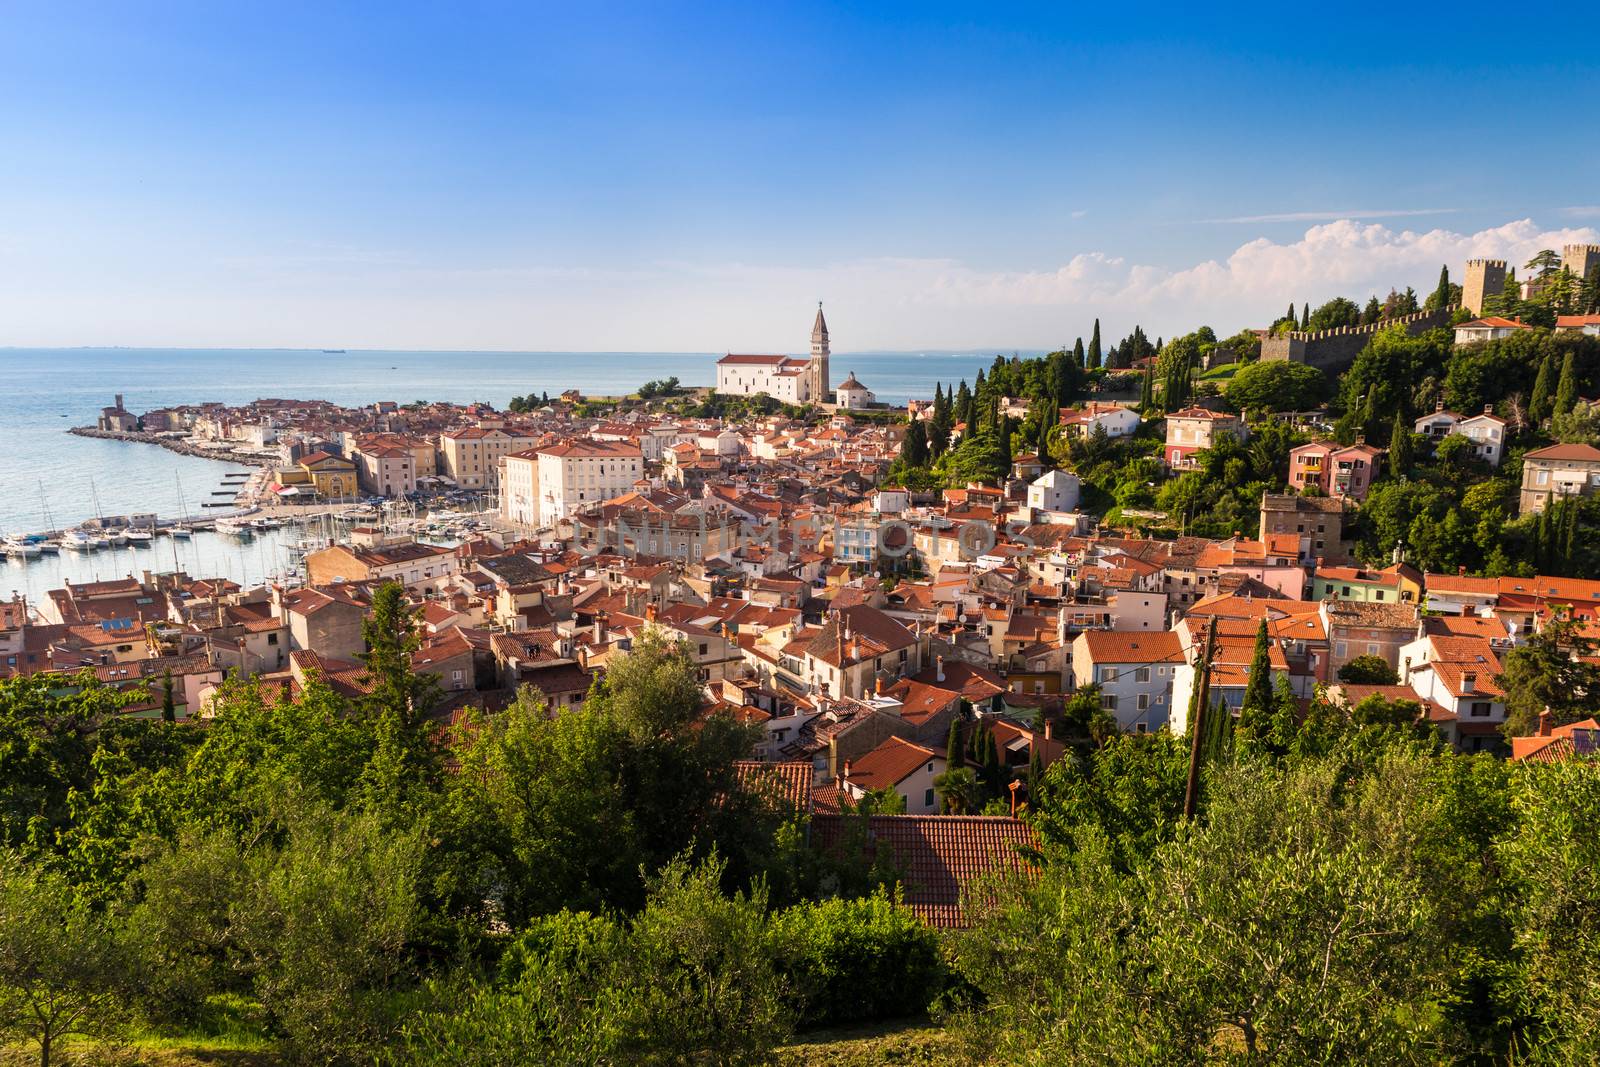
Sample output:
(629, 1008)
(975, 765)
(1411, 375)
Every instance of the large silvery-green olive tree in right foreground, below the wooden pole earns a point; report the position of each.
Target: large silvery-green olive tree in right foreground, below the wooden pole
(1302, 922)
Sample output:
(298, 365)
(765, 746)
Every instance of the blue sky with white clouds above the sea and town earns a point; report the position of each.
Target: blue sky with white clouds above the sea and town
(692, 177)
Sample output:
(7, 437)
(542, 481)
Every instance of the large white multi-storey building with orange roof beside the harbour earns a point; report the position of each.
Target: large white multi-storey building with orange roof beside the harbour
(543, 486)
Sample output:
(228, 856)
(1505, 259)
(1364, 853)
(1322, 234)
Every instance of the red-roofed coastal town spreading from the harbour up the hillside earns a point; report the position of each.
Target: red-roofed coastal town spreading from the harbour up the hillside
(870, 620)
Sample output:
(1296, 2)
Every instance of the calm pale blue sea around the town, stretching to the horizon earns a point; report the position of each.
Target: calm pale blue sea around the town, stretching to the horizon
(46, 471)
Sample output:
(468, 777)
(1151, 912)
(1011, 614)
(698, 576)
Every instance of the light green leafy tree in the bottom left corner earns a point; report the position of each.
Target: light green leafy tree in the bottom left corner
(62, 964)
